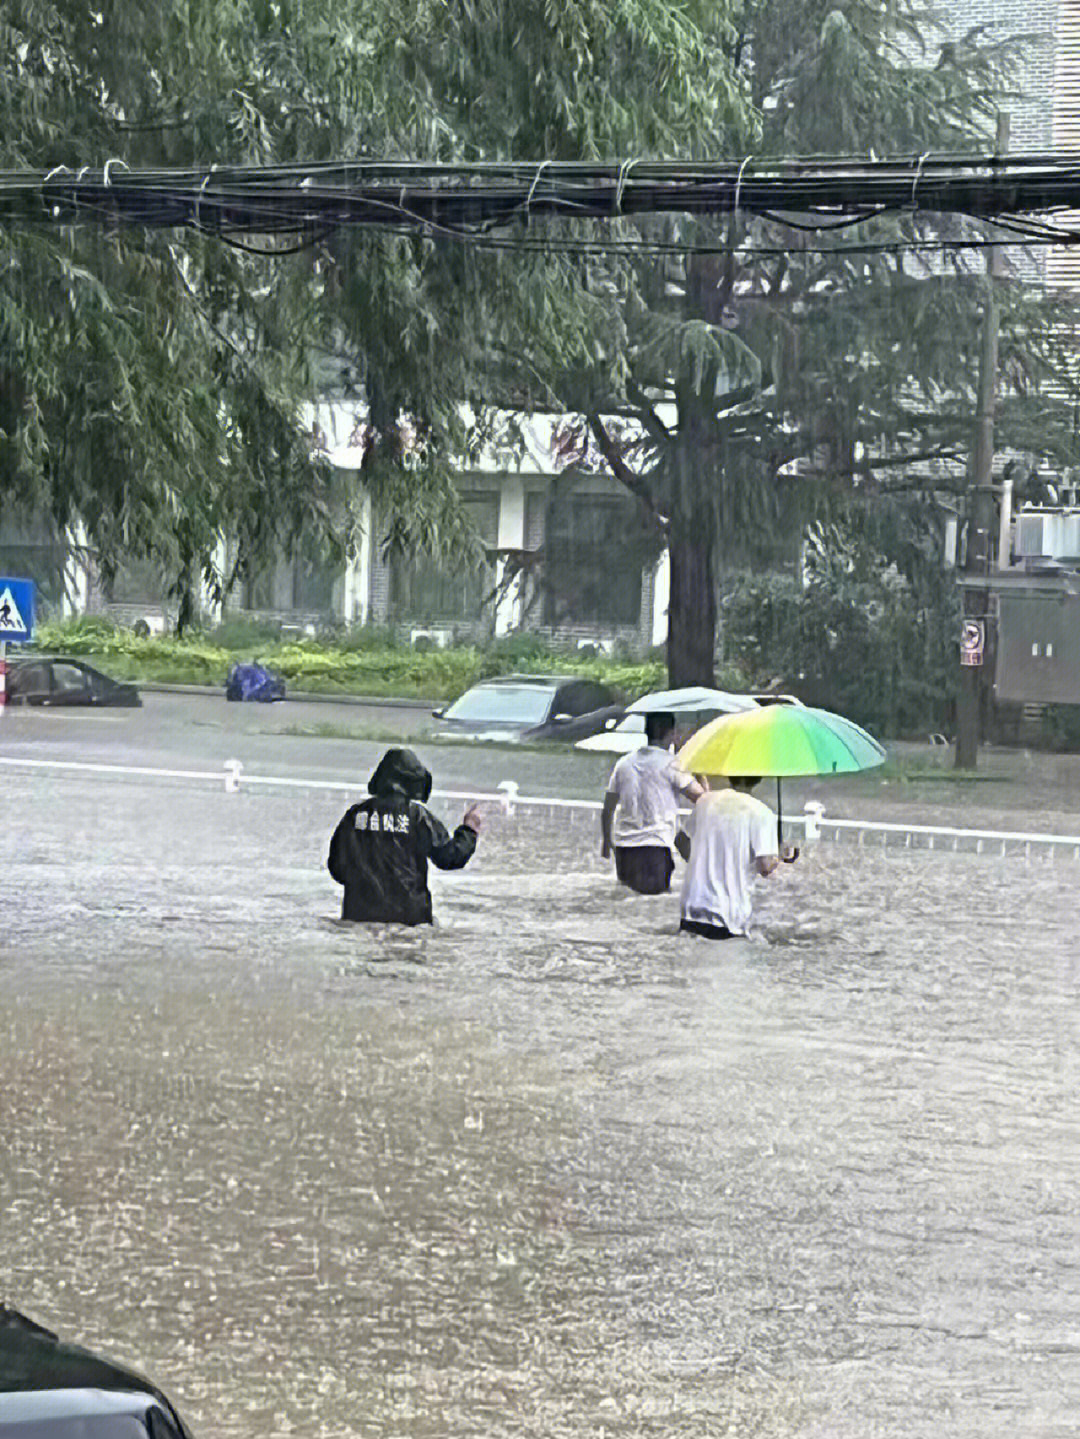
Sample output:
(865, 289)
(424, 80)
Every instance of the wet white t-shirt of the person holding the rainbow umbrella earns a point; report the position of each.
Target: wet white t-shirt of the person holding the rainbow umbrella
(728, 831)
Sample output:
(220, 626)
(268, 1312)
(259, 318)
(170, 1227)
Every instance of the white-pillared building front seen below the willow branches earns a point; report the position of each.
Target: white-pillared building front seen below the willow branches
(564, 555)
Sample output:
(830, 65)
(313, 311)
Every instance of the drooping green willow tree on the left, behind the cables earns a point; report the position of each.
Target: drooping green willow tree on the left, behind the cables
(150, 385)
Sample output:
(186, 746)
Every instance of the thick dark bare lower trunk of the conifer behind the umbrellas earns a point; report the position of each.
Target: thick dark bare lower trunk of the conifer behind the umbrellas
(692, 605)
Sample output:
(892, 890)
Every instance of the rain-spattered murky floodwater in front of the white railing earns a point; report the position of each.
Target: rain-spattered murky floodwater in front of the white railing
(550, 1169)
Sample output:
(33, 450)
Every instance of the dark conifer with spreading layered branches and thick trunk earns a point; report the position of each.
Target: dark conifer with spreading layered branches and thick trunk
(774, 375)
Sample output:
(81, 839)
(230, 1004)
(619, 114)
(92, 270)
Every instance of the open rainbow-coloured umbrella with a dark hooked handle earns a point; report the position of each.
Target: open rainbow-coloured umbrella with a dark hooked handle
(782, 742)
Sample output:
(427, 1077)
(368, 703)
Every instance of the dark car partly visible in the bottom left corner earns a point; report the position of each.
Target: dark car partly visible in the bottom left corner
(57, 1391)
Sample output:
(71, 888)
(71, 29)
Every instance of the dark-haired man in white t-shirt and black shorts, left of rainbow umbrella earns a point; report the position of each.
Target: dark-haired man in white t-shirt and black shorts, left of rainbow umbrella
(642, 811)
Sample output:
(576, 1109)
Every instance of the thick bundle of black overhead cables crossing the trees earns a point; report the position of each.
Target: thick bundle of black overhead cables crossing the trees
(495, 201)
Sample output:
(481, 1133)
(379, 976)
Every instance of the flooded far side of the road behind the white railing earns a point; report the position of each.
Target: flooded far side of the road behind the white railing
(343, 742)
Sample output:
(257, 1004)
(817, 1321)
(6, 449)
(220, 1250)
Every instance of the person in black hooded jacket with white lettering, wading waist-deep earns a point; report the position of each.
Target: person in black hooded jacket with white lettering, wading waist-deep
(382, 847)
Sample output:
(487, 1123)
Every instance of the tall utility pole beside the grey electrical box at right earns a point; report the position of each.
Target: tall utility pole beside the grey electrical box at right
(979, 559)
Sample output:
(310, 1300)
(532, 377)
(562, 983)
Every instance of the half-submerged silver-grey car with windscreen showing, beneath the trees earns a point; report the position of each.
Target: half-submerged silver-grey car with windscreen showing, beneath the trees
(518, 709)
